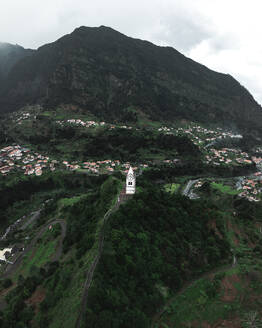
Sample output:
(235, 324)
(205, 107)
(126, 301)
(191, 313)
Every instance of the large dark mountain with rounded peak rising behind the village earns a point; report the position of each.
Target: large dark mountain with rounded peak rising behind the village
(108, 74)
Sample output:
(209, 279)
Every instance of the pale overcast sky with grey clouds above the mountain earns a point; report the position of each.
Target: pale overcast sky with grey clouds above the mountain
(221, 34)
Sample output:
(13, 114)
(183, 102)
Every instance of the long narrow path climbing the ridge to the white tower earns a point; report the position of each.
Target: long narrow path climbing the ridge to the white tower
(89, 276)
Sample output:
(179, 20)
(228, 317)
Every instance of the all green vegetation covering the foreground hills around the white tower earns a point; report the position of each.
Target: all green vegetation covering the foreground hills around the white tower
(155, 243)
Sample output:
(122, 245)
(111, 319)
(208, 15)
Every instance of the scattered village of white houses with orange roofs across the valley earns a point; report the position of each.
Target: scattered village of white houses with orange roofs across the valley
(24, 161)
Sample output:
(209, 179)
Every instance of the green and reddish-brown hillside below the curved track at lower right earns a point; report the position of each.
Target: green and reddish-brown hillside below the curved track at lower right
(210, 300)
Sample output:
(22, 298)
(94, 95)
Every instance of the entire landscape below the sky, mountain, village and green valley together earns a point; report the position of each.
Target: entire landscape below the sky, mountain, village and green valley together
(131, 188)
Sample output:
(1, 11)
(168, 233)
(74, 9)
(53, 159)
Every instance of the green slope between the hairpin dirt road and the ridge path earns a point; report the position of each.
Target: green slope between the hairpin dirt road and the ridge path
(63, 281)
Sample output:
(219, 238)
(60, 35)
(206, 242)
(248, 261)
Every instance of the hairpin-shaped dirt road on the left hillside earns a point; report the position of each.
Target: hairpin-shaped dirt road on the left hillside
(11, 268)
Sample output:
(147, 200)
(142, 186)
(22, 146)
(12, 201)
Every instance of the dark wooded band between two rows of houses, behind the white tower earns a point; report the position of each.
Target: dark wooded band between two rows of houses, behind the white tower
(132, 144)
